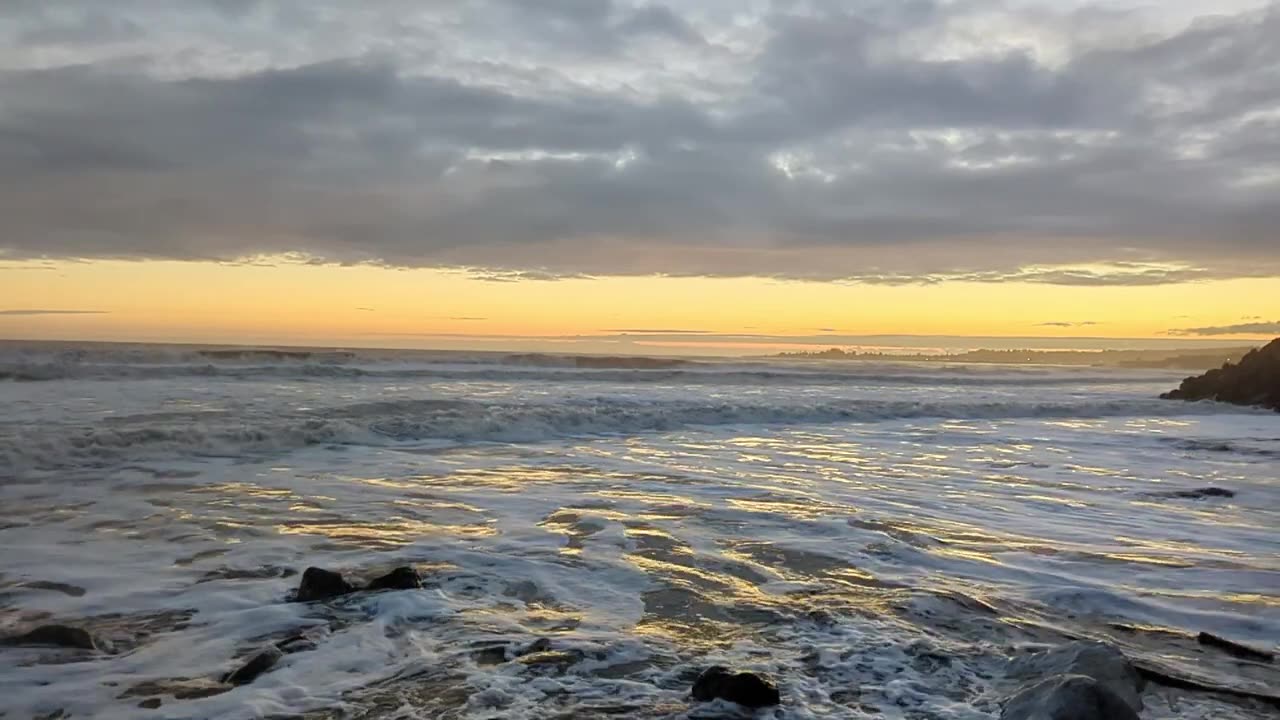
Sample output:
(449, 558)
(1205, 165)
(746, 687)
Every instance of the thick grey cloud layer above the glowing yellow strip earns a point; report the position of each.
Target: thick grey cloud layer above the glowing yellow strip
(874, 142)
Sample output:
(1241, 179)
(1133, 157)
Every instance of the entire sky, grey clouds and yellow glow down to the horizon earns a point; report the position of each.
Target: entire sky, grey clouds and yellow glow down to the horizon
(624, 175)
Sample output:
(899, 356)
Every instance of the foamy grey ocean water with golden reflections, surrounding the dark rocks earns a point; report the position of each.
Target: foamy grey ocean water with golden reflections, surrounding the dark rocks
(879, 537)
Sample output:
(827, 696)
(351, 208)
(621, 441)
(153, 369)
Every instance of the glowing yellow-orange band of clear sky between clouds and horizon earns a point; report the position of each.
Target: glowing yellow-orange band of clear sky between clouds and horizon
(298, 304)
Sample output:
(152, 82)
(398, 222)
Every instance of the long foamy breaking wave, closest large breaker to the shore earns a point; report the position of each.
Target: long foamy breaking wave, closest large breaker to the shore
(226, 435)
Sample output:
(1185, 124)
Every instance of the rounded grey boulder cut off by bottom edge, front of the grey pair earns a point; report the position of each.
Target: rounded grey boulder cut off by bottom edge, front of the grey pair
(1068, 698)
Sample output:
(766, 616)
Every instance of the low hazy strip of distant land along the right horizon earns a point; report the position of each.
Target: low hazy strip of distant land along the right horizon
(1186, 359)
